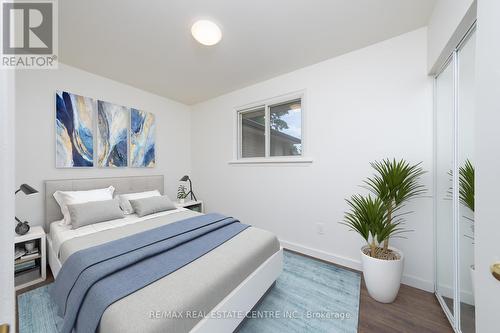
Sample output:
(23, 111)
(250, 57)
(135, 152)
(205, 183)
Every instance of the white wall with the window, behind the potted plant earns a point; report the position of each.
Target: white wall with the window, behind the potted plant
(363, 106)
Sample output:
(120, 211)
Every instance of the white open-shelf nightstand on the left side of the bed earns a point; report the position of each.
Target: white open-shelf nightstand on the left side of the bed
(30, 268)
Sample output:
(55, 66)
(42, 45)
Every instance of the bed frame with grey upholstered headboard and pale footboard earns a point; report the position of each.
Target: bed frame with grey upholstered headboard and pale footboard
(242, 299)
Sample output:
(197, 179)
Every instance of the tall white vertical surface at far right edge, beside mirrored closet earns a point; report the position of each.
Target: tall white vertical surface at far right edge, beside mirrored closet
(487, 146)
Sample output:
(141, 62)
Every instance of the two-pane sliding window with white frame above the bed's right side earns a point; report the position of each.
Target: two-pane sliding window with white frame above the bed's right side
(271, 129)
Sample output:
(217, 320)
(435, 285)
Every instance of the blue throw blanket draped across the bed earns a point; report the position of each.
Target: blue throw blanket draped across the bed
(93, 279)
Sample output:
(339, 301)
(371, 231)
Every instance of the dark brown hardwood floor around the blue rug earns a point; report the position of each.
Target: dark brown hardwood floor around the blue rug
(414, 311)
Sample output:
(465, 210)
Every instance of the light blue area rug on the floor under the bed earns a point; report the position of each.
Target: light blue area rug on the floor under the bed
(309, 296)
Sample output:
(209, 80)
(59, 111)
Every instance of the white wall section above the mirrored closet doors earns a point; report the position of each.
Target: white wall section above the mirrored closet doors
(449, 22)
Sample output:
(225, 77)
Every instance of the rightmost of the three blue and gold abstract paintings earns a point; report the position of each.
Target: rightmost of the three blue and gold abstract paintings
(142, 139)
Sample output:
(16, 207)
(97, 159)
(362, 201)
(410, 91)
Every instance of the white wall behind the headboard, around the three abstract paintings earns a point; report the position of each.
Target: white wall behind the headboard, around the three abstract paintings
(35, 137)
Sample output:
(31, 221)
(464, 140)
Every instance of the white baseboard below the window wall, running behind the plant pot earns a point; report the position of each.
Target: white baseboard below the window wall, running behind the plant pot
(409, 280)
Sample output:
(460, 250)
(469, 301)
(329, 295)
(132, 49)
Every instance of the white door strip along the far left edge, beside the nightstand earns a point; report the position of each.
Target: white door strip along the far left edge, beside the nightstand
(7, 158)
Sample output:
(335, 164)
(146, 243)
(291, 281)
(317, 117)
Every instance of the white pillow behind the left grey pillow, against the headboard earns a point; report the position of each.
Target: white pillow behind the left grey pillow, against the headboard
(65, 198)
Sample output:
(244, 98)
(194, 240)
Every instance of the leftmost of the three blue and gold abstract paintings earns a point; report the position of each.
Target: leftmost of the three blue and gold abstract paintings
(74, 130)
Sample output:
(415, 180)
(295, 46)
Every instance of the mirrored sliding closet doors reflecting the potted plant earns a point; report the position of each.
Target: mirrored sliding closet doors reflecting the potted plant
(454, 186)
